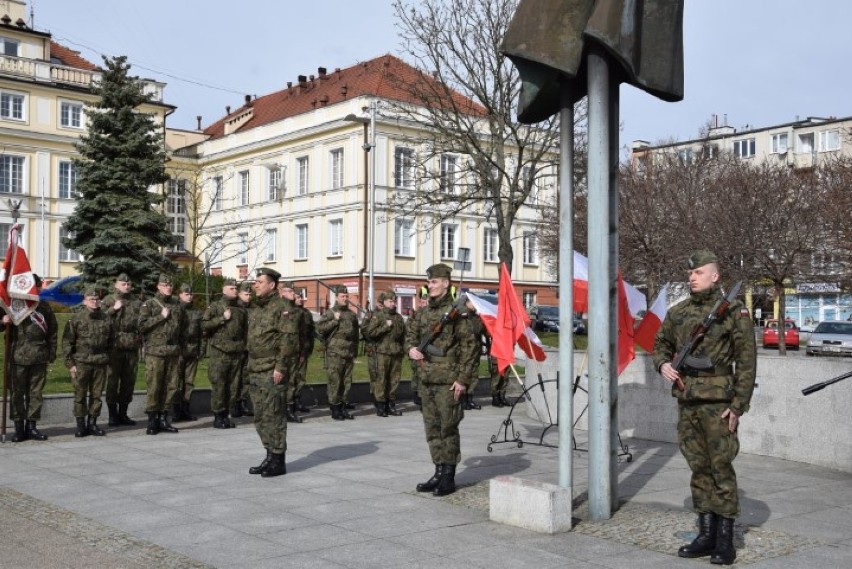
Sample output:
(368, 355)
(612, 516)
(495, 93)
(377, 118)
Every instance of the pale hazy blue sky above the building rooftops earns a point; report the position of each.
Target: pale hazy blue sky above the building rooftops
(752, 62)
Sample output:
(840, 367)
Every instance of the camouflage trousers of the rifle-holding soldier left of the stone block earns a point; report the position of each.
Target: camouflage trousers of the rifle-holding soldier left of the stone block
(441, 417)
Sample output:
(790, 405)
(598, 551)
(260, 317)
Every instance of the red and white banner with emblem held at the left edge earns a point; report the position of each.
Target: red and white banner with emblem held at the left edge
(18, 291)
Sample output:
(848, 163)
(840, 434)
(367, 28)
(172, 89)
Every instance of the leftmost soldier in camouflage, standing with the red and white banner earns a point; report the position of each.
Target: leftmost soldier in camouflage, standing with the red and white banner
(32, 347)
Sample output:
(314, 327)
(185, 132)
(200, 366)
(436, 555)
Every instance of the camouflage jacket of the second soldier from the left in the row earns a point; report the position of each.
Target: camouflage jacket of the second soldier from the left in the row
(88, 338)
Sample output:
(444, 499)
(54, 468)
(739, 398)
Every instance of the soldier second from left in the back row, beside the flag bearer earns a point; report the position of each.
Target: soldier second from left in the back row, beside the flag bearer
(86, 343)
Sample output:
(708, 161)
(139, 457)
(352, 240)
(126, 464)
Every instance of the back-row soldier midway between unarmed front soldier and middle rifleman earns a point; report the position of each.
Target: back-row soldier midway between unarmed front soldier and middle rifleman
(339, 329)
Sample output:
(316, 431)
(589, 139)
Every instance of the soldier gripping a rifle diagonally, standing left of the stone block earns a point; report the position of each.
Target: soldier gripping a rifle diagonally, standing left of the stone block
(446, 378)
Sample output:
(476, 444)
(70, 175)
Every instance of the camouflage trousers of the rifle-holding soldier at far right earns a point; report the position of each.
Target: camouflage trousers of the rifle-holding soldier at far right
(709, 449)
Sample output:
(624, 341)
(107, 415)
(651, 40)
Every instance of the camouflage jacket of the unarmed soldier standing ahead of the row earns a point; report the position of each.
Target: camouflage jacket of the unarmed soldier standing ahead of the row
(273, 334)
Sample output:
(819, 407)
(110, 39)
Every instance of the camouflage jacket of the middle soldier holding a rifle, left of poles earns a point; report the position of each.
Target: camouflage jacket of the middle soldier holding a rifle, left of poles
(456, 342)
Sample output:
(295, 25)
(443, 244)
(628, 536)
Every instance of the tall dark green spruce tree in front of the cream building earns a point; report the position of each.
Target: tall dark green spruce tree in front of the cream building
(117, 226)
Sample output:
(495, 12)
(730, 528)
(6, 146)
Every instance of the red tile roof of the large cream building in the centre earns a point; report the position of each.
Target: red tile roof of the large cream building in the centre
(386, 77)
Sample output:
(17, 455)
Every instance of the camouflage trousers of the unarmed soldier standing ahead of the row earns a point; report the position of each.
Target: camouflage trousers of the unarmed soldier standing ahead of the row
(270, 406)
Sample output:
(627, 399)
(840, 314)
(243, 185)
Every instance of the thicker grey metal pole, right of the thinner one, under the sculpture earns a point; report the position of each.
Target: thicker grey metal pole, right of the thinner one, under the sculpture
(600, 288)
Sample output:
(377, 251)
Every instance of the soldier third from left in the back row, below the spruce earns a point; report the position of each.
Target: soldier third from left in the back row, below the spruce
(123, 308)
